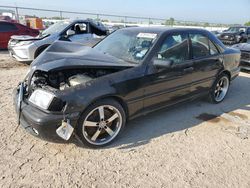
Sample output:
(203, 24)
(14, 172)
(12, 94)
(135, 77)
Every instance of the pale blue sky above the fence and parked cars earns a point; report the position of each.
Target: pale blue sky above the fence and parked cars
(216, 11)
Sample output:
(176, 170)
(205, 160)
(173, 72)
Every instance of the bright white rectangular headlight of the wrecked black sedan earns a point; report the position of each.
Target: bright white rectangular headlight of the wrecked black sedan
(41, 98)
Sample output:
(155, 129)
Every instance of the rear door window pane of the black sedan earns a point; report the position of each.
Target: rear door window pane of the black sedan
(200, 45)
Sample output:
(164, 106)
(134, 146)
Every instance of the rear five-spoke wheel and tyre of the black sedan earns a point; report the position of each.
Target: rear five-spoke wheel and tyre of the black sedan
(219, 89)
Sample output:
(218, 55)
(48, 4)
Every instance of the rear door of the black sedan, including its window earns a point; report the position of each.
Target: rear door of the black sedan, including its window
(207, 62)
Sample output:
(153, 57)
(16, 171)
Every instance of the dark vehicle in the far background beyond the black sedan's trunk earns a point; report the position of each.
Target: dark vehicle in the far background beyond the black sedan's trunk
(235, 35)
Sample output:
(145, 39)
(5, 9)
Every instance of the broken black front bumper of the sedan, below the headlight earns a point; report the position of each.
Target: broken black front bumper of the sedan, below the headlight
(39, 123)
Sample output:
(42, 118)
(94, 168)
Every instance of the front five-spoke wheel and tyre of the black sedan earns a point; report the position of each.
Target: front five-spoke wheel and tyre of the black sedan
(101, 123)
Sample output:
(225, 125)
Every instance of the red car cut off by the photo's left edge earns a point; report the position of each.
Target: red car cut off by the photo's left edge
(8, 29)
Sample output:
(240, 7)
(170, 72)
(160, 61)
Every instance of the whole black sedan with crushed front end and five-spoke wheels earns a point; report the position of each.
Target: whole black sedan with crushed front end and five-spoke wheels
(71, 89)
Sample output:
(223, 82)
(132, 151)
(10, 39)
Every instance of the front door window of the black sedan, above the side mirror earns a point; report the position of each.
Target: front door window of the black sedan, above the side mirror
(174, 48)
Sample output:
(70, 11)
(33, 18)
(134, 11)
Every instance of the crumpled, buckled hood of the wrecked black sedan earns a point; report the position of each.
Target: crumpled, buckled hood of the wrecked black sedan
(67, 55)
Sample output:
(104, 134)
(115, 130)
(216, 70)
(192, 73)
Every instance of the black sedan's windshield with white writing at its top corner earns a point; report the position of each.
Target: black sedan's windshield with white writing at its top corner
(128, 45)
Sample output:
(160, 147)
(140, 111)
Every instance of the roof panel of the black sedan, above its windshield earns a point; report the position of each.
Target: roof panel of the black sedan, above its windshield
(163, 29)
